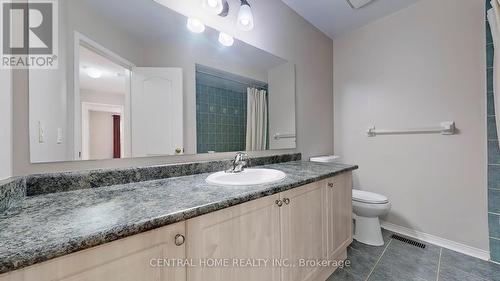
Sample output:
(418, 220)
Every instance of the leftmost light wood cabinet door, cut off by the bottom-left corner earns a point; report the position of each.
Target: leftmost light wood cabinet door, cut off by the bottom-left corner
(130, 259)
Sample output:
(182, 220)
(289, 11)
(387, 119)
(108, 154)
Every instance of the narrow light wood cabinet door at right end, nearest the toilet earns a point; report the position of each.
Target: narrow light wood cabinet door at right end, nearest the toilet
(339, 206)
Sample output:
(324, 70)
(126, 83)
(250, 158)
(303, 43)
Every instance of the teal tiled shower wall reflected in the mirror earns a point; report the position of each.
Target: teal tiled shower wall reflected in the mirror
(221, 116)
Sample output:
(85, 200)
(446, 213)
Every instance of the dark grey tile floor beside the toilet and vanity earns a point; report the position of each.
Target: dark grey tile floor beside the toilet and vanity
(398, 261)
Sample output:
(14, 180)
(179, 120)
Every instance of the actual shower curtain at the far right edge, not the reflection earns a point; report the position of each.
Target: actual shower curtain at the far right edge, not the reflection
(494, 21)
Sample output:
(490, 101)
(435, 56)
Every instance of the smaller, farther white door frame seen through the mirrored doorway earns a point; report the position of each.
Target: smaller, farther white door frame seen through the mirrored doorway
(100, 107)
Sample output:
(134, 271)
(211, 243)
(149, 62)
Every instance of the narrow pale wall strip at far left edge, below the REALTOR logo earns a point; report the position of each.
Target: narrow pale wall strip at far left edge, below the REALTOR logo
(5, 124)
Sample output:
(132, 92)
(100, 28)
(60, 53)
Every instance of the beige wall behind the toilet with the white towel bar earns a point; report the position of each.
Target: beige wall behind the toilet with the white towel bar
(418, 67)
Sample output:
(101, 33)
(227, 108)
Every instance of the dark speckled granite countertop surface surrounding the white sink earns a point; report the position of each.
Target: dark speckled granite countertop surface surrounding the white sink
(46, 226)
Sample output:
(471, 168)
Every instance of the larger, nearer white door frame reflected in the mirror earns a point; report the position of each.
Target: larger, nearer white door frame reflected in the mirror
(82, 40)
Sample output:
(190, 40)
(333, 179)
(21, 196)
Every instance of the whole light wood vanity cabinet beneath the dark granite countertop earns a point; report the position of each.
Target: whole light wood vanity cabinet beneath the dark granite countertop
(312, 222)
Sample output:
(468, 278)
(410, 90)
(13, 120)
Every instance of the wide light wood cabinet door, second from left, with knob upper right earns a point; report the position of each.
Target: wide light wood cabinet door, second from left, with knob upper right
(247, 231)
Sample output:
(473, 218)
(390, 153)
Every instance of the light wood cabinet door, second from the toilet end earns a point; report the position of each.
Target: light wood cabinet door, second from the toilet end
(303, 230)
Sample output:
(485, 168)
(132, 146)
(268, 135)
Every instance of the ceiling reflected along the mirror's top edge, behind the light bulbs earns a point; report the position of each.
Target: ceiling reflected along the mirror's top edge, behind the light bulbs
(150, 23)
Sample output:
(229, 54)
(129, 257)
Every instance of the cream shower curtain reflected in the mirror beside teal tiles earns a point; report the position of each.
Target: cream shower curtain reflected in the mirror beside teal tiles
(256, 119)
